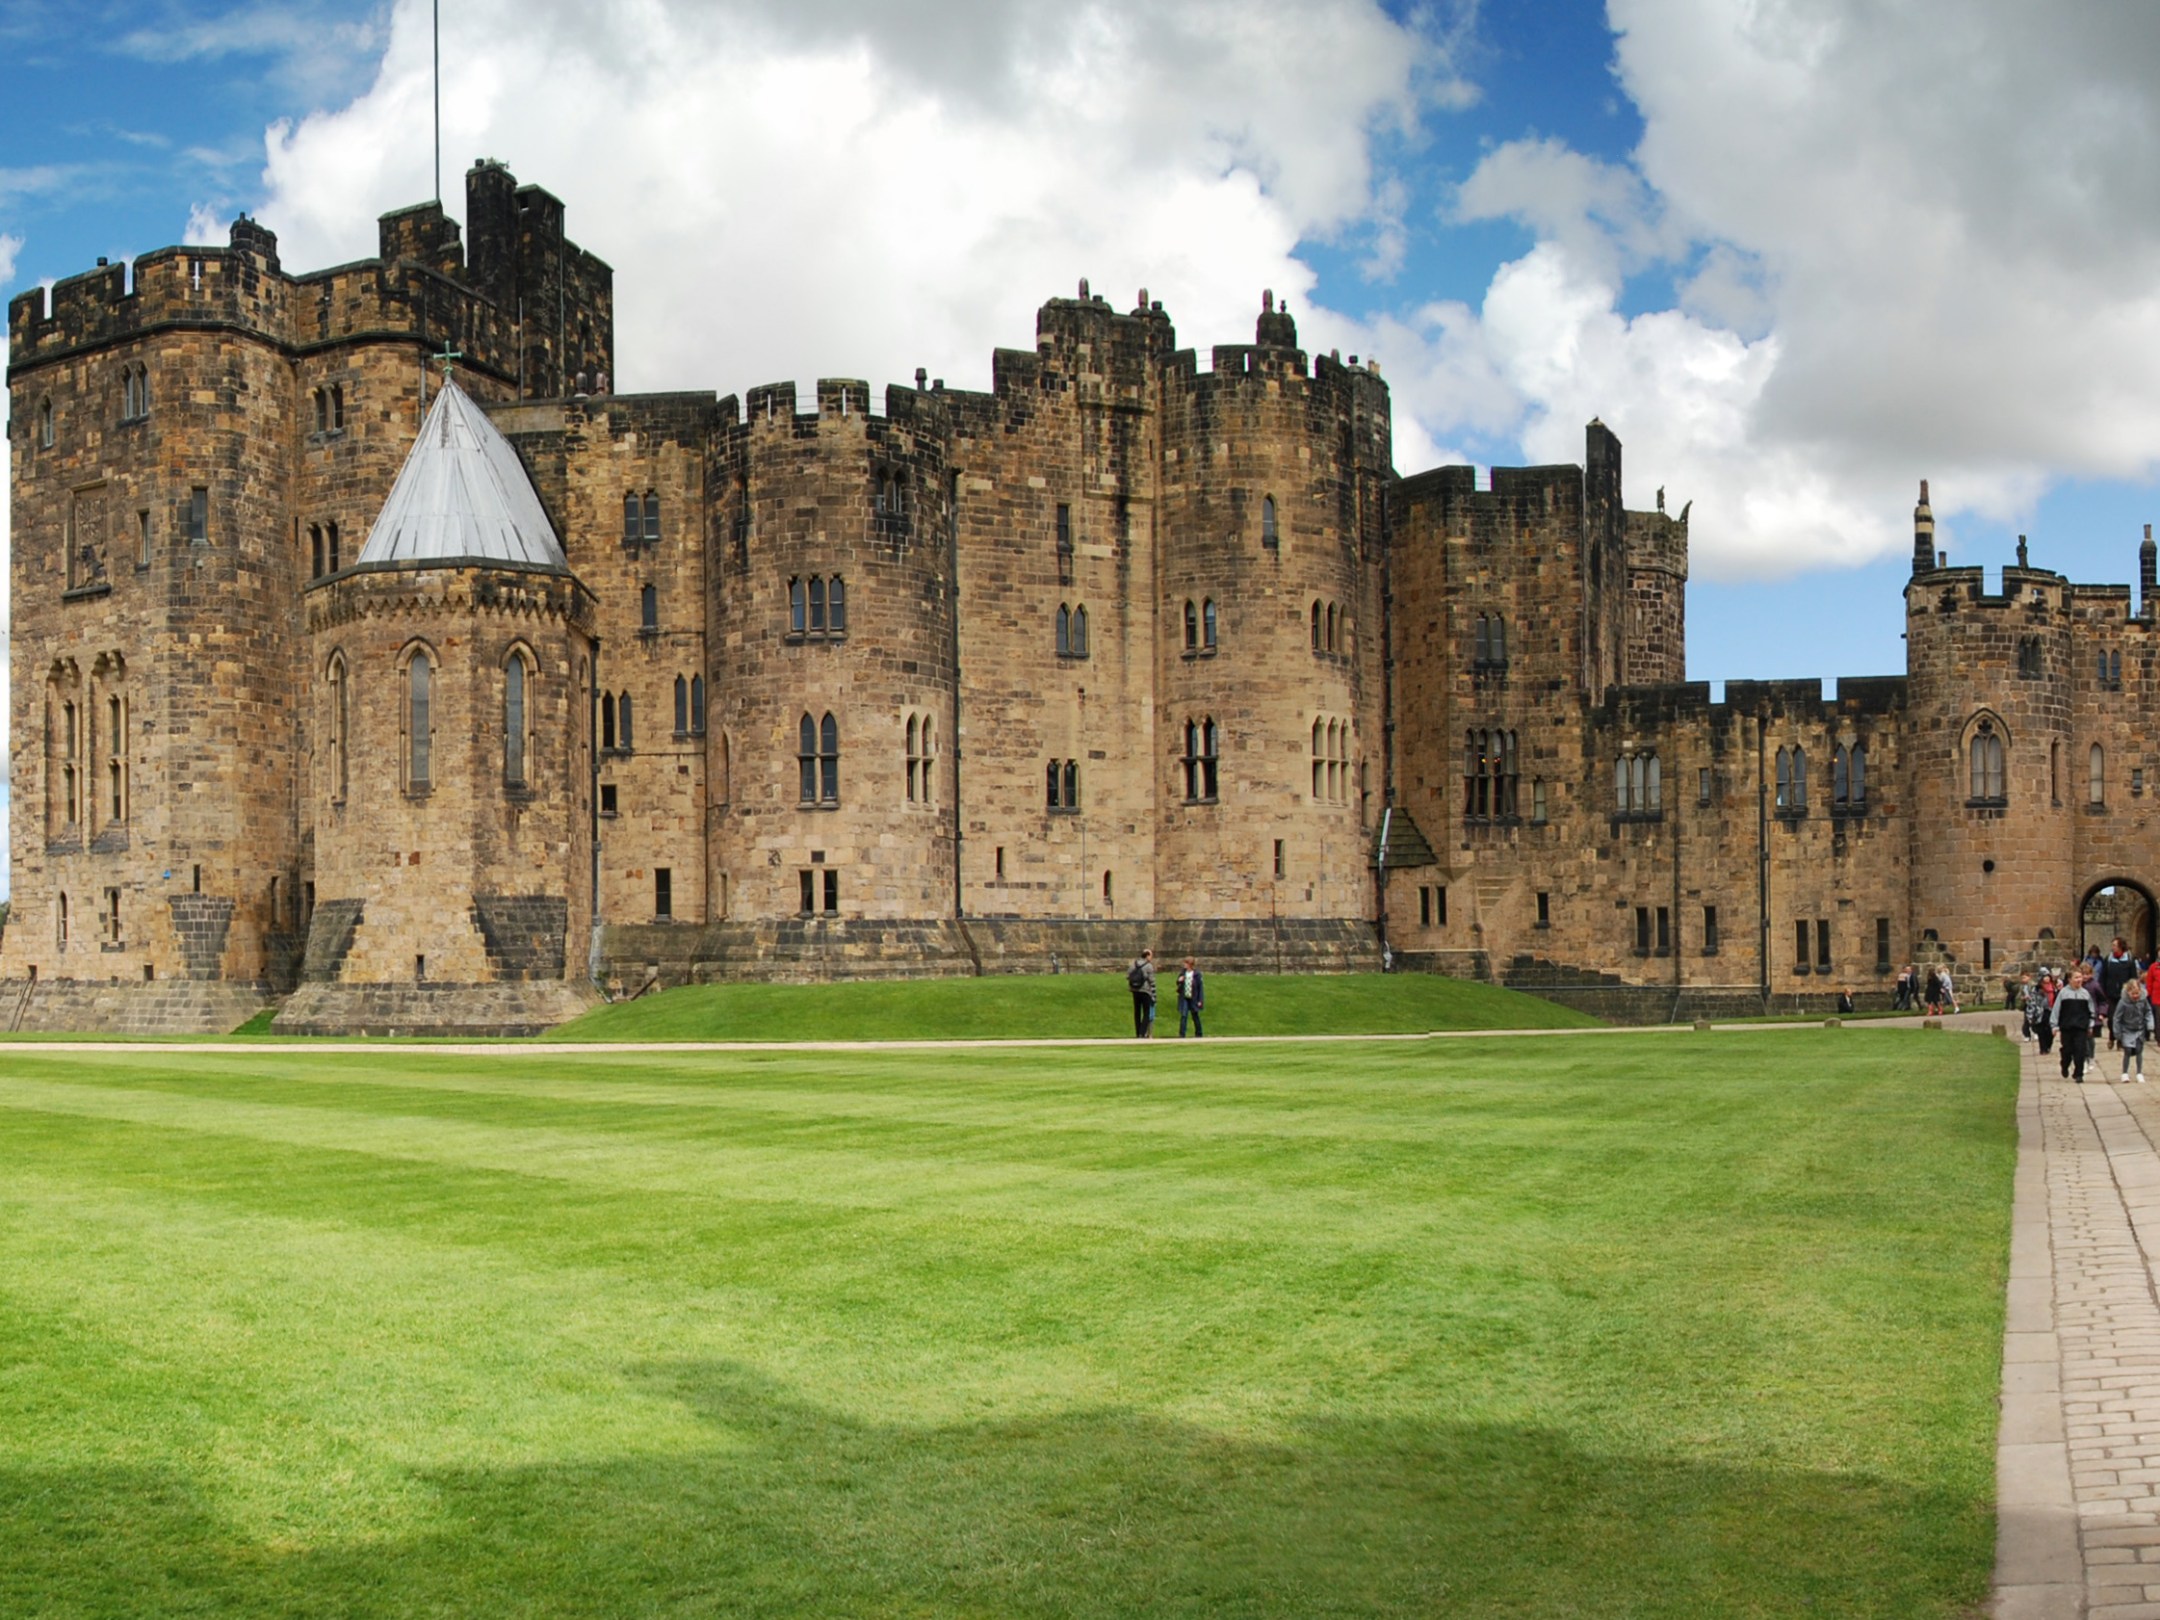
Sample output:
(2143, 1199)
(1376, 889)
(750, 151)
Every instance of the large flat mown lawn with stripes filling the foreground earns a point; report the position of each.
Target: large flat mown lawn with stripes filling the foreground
(1653, 1325)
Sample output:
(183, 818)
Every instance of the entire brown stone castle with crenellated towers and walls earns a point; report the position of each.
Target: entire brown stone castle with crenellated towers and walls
(424, 699)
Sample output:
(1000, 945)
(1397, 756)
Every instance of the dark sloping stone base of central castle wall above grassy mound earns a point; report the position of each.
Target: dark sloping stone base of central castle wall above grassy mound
(815, 949)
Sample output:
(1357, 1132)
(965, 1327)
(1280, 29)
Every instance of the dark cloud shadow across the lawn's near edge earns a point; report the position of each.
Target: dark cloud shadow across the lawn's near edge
(796, 1511)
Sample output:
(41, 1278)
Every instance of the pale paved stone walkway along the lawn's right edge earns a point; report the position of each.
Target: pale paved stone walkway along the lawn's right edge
(2079, 1459)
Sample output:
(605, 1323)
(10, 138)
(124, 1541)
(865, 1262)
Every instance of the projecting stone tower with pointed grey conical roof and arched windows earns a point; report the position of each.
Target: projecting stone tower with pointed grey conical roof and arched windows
(450, 757)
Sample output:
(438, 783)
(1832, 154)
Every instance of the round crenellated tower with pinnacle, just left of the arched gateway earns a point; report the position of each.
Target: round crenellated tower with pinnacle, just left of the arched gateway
(1988, 764)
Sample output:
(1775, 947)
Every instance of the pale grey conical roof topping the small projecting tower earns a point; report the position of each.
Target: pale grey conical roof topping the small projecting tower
(463, 496)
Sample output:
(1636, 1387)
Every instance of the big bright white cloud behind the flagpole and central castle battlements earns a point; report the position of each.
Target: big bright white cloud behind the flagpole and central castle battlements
(863, 189)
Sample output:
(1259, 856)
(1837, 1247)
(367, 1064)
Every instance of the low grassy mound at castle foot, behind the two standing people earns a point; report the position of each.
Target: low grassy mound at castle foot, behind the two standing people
(1064, 1005)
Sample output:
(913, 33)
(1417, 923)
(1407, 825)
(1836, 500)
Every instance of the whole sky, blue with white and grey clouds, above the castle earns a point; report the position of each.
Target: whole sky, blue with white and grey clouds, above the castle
(1798, 254)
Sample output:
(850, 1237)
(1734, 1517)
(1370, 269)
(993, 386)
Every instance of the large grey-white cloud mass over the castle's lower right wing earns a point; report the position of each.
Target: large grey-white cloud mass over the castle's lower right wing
(1906, 243)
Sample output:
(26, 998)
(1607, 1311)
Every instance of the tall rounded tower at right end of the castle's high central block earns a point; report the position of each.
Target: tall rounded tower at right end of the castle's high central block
(1269, 610)
